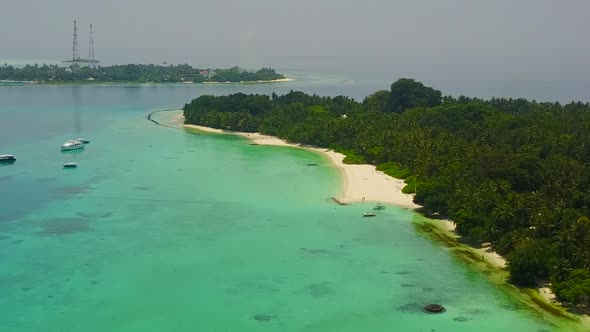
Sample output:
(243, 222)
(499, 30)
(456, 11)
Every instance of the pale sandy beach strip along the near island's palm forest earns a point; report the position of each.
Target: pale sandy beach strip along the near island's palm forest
(363, 183)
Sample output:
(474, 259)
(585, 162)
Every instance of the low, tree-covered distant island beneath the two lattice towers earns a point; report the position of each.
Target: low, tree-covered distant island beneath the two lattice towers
(134, 74)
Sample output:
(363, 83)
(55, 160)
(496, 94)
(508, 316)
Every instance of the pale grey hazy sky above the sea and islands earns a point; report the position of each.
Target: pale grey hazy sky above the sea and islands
(513, 42)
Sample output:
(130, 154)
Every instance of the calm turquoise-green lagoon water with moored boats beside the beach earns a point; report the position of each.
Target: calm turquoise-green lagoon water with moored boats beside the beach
(160, 229)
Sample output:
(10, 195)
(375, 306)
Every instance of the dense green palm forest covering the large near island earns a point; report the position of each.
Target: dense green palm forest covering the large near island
(511, 172)
